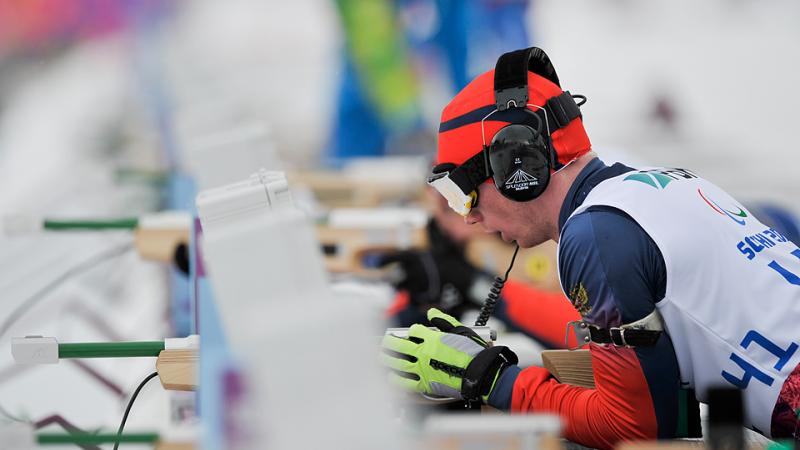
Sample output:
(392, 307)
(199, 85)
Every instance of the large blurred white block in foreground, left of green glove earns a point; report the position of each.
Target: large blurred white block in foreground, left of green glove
(308, 357)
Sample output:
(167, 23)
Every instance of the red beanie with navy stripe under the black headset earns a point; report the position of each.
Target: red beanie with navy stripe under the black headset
(460, 127)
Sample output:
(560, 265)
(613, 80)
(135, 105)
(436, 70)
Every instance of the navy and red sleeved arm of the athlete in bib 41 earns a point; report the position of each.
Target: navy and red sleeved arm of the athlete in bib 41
(615, 275)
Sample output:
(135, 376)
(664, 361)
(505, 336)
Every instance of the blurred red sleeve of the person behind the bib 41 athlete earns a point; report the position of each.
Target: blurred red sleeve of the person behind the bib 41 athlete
(543, 314)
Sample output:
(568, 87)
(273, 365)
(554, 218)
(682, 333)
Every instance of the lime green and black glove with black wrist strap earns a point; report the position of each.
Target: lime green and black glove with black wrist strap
(452, 361)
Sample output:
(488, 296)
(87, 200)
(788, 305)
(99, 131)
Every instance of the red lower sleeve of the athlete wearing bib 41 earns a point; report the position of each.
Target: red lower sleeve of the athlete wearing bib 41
(619, 408)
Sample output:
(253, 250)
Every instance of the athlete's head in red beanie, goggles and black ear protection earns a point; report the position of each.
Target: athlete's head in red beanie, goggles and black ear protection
(500, 140)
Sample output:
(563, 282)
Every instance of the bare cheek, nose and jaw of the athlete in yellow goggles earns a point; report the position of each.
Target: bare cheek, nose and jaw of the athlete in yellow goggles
(515, 221)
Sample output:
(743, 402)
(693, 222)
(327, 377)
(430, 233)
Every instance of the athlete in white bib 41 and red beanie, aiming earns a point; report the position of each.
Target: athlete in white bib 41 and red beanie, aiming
(679, 287)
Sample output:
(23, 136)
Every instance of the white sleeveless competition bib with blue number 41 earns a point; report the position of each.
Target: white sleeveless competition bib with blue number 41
(732, 303)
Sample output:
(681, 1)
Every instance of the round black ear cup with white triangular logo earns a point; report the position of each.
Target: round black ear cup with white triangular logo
(520, 162)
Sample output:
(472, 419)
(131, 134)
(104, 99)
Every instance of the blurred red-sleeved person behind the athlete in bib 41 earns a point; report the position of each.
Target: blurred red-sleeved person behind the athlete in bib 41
(442, 276)
